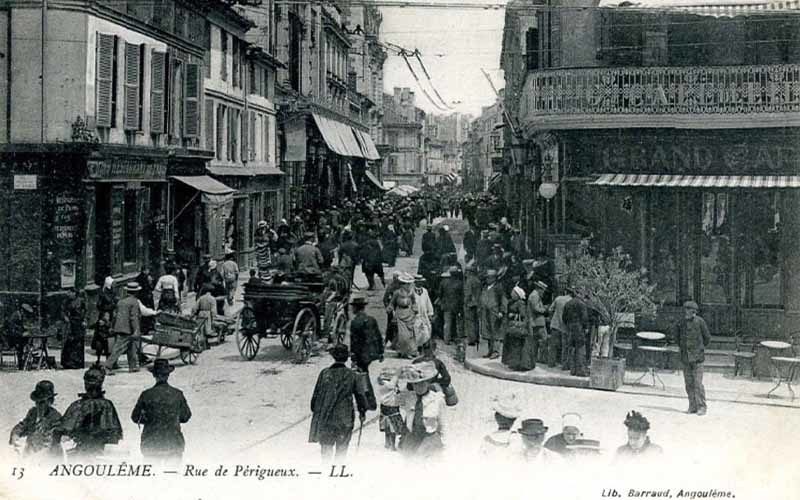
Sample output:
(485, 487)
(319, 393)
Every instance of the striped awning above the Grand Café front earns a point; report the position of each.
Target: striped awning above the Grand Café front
(699, 181)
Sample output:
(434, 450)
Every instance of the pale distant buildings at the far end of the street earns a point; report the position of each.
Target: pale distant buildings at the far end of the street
(421, 148)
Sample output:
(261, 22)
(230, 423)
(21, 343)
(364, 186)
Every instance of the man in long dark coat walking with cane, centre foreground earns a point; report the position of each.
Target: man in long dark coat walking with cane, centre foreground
(333, 416)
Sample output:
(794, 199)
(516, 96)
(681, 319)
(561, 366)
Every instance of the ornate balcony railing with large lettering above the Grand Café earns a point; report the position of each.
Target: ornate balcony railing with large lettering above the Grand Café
(668, 91)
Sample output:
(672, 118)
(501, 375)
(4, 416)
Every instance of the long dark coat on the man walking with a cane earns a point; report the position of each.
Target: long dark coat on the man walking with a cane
(332, 403)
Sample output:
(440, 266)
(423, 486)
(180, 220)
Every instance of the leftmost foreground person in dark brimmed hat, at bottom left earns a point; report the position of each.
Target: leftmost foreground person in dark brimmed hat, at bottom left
(39, 423)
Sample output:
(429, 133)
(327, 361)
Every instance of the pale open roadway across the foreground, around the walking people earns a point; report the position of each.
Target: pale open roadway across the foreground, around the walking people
(257, 412)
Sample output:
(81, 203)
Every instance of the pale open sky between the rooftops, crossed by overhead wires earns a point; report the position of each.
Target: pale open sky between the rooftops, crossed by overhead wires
(455, 45)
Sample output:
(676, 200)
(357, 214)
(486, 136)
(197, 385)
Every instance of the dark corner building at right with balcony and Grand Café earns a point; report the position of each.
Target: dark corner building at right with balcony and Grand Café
(667, 128)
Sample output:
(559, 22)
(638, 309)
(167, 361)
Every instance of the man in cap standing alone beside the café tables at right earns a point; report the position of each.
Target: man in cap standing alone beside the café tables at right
(692, 336)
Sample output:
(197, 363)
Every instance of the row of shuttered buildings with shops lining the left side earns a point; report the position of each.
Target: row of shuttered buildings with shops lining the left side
(132, 132)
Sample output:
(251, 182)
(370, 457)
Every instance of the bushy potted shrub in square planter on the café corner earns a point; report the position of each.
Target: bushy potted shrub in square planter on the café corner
(613, 288)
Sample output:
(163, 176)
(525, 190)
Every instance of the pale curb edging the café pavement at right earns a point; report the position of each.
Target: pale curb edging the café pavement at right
(583, 383)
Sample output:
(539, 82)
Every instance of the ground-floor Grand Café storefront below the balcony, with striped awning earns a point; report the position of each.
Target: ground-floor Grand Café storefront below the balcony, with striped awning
(713, 216)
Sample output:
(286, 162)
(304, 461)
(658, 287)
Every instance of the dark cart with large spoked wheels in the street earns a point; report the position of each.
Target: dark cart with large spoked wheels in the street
(292, 309)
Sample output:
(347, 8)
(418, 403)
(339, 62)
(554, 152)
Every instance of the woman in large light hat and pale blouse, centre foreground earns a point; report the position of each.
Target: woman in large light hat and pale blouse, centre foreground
(424, 411)
